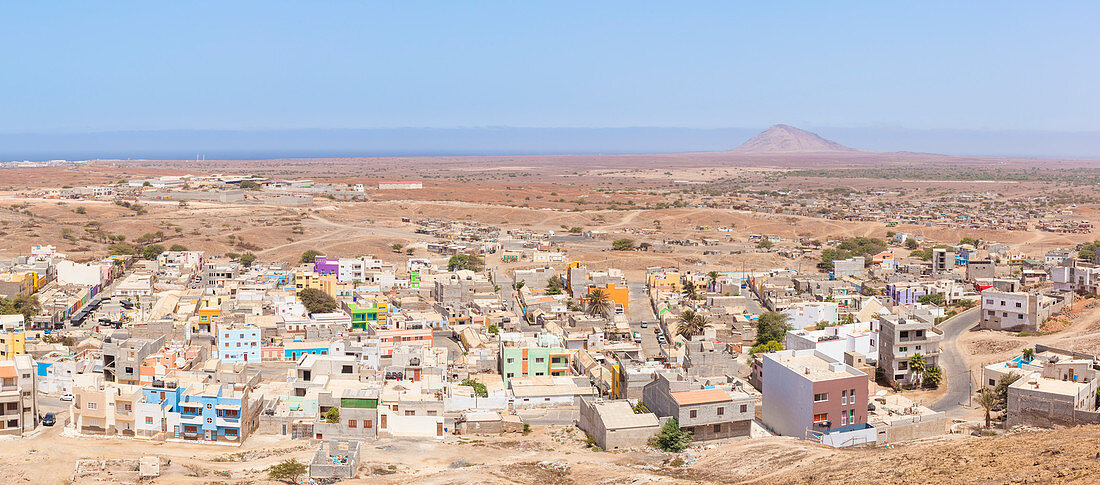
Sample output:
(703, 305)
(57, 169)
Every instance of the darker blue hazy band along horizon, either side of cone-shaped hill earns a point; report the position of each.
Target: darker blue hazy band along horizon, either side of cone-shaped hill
(498, 141)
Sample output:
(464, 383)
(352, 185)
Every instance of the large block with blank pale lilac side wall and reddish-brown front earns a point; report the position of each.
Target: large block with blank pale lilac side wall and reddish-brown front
(809, 395)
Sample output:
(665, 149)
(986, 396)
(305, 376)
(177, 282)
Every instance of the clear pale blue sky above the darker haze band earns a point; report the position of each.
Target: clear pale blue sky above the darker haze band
(260, 65)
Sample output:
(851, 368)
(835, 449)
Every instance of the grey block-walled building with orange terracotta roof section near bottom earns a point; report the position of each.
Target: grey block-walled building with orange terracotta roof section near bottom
(710, 414)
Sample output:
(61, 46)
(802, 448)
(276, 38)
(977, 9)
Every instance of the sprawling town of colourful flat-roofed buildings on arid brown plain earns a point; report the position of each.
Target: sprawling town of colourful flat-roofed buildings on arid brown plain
(481, 330)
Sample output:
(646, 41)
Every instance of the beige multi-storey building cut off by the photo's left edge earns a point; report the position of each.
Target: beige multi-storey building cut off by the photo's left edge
(19, 395)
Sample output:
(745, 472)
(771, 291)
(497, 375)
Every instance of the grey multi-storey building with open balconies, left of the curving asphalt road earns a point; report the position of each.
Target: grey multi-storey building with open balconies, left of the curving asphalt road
(899, 340)
